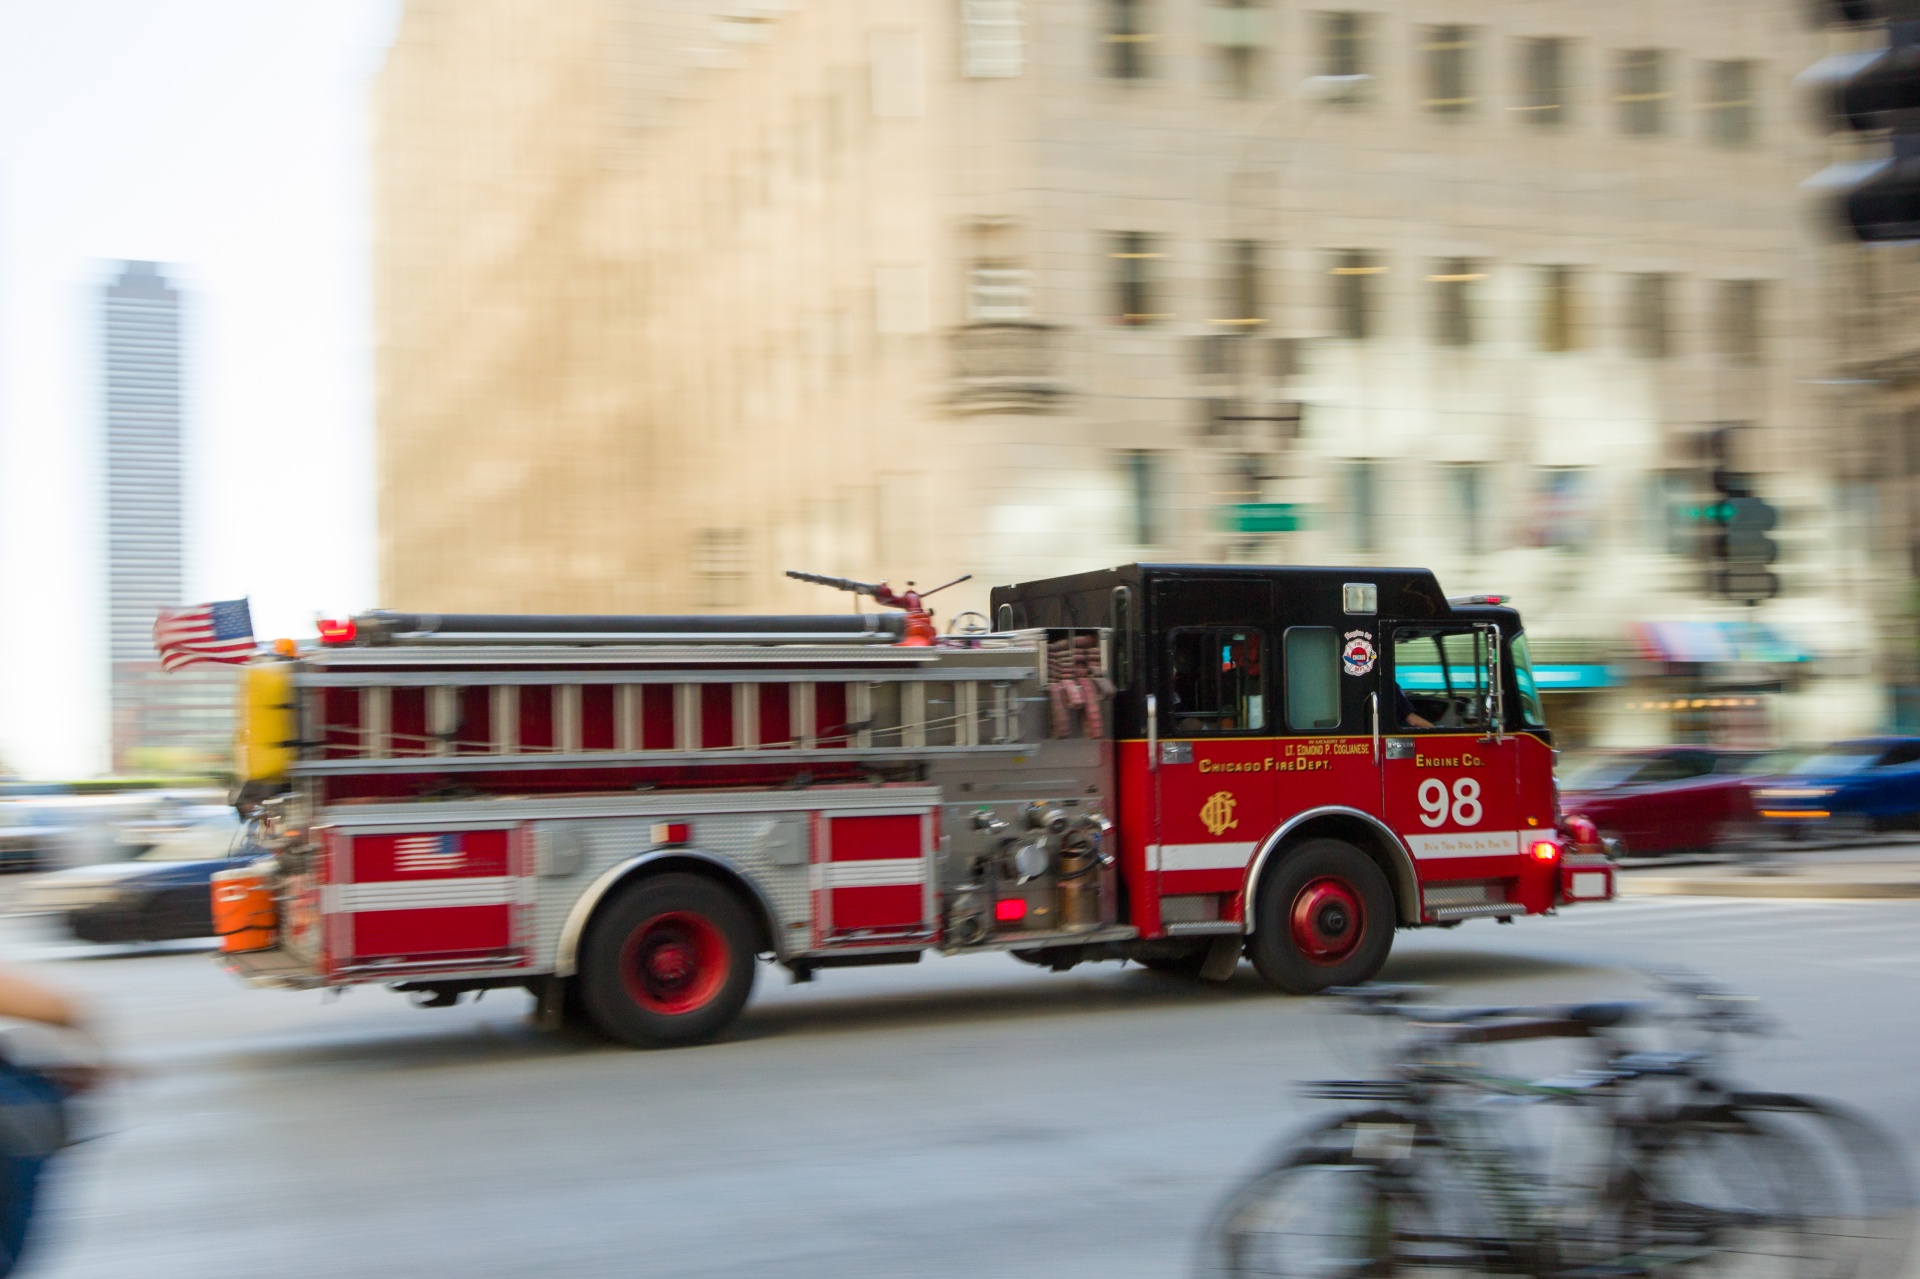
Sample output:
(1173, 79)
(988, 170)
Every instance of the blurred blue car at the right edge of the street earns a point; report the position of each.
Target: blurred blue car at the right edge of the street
(1848, 790)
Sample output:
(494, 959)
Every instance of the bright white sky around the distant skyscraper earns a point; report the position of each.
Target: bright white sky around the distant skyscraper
(229, 141)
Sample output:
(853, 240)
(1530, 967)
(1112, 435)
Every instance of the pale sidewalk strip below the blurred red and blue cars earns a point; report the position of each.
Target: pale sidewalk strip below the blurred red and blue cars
(1854, 873)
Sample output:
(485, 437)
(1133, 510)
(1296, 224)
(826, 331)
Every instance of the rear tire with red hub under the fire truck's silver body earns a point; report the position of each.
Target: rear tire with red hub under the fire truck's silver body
(671, 961)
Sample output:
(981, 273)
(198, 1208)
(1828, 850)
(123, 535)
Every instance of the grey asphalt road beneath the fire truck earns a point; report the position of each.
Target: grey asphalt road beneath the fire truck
(959, 1119)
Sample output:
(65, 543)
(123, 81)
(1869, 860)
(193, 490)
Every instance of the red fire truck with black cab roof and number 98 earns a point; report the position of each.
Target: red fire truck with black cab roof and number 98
(1174, 765)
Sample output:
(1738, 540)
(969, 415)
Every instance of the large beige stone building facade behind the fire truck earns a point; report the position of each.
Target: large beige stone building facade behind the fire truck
(679, 295)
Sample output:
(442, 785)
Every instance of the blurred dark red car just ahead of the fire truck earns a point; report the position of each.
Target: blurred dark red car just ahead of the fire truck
(1668, 800)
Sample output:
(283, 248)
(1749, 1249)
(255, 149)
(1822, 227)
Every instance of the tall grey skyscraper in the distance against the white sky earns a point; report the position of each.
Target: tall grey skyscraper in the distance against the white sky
(160, 721)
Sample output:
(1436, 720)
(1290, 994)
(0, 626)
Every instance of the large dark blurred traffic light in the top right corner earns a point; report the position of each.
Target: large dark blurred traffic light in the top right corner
(1875, 91)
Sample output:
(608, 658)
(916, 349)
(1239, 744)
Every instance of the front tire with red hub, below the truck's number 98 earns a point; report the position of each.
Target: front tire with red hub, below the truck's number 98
(1326, 917)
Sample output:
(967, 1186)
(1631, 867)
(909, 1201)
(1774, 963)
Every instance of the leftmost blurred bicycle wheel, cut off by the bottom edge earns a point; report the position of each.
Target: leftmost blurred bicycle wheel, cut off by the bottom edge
(1355, 1201)
